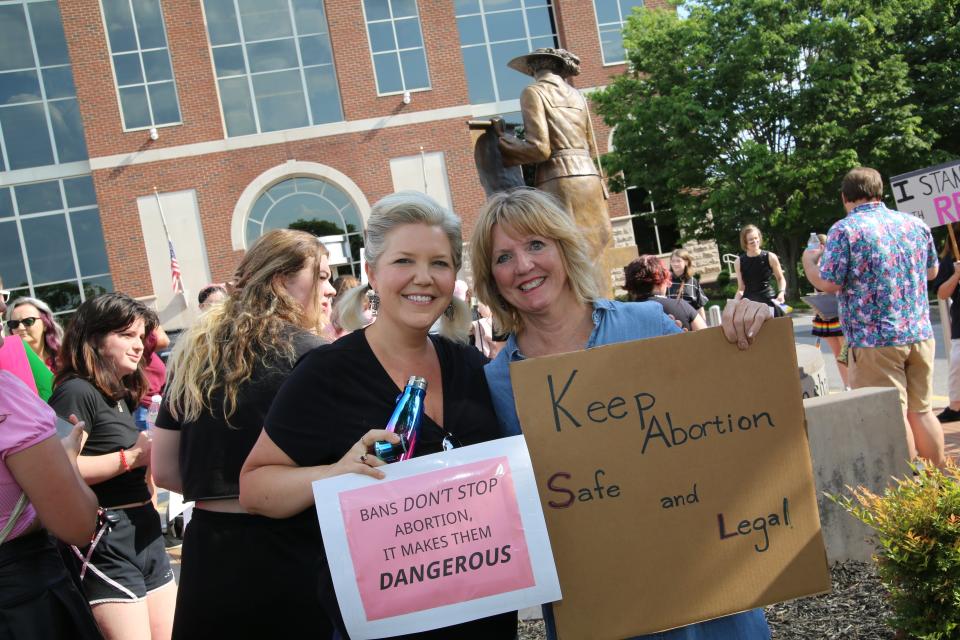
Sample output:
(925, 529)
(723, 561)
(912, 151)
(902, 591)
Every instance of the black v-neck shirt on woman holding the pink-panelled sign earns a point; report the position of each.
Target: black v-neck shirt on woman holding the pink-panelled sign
(340, 391)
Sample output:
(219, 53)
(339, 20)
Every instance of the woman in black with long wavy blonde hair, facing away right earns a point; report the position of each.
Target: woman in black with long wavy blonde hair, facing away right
(224, 374)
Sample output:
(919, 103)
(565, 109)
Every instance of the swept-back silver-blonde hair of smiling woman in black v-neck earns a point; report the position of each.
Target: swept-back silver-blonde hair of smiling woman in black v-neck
(390, 212)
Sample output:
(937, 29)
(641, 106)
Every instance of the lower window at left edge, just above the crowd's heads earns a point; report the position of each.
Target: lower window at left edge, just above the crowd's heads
(51, 242)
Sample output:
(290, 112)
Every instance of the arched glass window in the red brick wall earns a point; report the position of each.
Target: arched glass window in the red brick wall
(309, 204)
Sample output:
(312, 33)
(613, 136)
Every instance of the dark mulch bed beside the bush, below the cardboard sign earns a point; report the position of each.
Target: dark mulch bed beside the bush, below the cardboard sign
(854, 610)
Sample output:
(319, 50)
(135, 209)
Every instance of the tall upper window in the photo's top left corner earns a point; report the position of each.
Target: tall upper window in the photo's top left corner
(39, 119)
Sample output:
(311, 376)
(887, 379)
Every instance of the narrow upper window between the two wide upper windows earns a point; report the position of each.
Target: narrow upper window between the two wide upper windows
(396, 43)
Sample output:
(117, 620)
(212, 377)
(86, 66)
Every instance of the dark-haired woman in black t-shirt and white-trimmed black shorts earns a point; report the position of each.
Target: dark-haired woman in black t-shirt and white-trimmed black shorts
(126, 576)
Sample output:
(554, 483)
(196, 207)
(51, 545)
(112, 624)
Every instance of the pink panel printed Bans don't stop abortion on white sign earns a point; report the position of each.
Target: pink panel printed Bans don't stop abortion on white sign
(437, 538)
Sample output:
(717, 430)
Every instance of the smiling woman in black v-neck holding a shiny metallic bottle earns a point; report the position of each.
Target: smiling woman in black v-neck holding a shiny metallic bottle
(331, 410)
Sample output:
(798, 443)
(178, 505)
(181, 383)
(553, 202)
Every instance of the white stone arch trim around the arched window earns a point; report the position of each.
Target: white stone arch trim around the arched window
(289, 169)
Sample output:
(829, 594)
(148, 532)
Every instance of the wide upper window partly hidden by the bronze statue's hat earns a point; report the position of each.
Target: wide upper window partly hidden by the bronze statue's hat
(492, 32)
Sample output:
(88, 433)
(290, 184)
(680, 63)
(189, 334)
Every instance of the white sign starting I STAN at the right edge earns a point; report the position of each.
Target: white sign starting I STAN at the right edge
(931, 194)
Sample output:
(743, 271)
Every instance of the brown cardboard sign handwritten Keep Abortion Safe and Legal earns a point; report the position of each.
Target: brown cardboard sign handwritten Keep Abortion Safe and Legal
(675, 477)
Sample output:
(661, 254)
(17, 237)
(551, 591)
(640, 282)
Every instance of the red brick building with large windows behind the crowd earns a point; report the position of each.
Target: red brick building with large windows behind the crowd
(247, 115)
